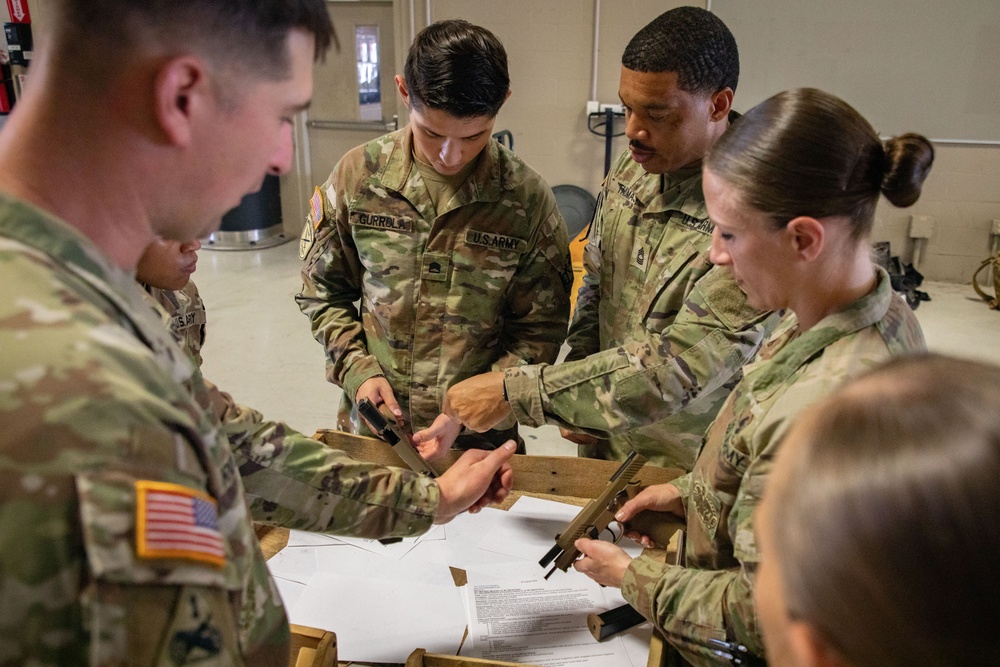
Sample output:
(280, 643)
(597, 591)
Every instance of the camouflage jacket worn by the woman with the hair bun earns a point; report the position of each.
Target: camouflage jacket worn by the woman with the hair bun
(712, 597)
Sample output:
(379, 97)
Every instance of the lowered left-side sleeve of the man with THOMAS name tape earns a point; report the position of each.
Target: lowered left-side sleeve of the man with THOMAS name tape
(584, 337)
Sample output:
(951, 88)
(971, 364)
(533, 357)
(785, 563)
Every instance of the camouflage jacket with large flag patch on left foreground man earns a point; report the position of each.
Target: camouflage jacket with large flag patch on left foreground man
(100, 429)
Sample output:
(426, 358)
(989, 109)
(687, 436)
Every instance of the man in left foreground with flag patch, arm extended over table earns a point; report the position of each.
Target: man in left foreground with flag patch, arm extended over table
(127, 514)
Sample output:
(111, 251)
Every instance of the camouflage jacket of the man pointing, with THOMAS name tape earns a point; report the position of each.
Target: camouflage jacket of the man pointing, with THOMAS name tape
(659, 334)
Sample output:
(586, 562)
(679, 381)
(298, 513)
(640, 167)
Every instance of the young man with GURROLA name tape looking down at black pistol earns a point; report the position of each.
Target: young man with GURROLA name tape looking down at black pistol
(453, 245)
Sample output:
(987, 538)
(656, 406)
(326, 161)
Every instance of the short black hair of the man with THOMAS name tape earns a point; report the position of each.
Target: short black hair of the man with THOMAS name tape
(692, 42)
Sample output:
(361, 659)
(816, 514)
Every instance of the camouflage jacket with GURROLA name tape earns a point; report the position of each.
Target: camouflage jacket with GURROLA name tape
(481, 285)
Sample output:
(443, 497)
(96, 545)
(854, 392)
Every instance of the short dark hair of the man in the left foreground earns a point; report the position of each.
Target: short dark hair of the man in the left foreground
(246, 34)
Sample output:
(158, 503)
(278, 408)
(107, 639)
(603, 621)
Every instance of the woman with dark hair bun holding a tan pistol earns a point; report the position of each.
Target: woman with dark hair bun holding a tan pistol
(791, 189)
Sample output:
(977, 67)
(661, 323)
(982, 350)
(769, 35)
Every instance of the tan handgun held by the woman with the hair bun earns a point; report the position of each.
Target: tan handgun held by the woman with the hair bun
(597, 515)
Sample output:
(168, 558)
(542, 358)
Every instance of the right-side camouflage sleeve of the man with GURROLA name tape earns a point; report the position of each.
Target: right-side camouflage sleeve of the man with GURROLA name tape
(538, 309)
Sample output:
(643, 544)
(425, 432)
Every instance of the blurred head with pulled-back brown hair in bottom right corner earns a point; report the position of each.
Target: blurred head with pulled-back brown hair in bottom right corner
(880, 528)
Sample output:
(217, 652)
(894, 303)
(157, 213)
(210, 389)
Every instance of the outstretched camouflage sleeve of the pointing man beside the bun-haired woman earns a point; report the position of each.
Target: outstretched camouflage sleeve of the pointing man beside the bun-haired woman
(614, 391)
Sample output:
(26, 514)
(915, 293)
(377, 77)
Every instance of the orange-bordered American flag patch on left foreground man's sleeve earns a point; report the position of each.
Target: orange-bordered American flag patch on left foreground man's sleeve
(174, 521)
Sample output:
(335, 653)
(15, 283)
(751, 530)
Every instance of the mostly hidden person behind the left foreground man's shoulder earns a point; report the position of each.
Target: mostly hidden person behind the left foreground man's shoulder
(164, 271)
